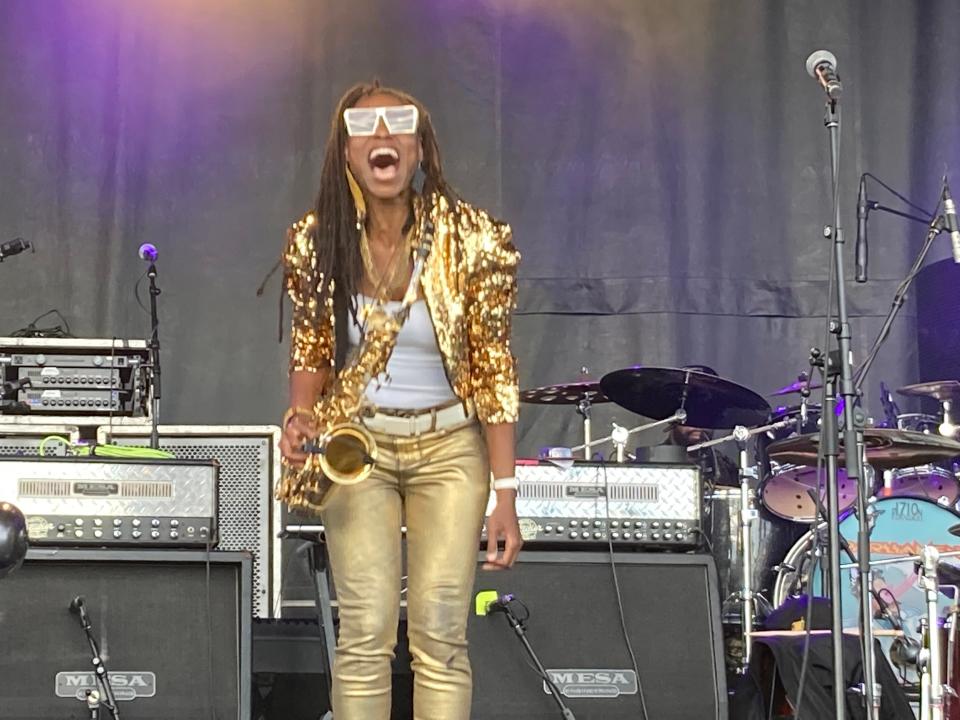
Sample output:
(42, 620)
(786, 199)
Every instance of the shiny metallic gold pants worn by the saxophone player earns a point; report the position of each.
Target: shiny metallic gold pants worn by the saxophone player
(438, 485)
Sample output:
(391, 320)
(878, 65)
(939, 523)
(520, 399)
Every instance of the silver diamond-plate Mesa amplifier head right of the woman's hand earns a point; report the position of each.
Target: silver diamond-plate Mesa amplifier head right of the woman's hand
(646, 505)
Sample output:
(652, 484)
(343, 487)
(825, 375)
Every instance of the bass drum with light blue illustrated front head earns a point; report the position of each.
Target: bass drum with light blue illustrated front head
(903, 526)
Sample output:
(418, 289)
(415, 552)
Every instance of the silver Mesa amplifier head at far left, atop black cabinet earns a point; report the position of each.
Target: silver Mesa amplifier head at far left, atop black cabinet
(109, 501)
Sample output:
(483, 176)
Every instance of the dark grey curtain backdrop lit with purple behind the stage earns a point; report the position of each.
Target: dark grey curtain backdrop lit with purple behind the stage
(664, 166)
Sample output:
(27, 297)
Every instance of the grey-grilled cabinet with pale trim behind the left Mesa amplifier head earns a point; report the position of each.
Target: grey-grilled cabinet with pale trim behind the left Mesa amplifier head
(249, 460)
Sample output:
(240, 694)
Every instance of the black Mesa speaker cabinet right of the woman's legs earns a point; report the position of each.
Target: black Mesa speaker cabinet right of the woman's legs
(672, 617)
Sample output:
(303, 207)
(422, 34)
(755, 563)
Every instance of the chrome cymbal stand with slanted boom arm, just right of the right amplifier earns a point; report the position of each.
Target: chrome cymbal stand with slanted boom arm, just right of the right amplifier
(747, 519)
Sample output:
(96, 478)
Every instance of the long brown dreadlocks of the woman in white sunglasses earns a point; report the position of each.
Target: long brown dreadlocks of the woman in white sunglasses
(337, 238)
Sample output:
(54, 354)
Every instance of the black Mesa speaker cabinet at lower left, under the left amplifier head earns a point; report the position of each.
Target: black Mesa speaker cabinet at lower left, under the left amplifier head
(173, 628)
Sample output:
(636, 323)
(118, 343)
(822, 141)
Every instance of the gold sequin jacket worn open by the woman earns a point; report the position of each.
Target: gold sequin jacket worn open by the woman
(469, 284)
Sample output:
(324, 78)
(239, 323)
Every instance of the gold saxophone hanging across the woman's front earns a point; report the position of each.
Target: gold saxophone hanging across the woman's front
(345, 452)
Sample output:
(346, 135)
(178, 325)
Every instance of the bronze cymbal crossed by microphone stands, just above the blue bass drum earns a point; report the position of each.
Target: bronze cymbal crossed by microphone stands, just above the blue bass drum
(887, 448)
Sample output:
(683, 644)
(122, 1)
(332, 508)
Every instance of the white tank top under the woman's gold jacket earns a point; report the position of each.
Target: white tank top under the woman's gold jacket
(415, 377)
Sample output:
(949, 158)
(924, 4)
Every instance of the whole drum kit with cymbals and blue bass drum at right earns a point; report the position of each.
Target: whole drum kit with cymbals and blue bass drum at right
(766, 531)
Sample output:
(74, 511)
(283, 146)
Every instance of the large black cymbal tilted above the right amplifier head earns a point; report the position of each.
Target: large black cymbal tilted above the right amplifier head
(710, 401)
